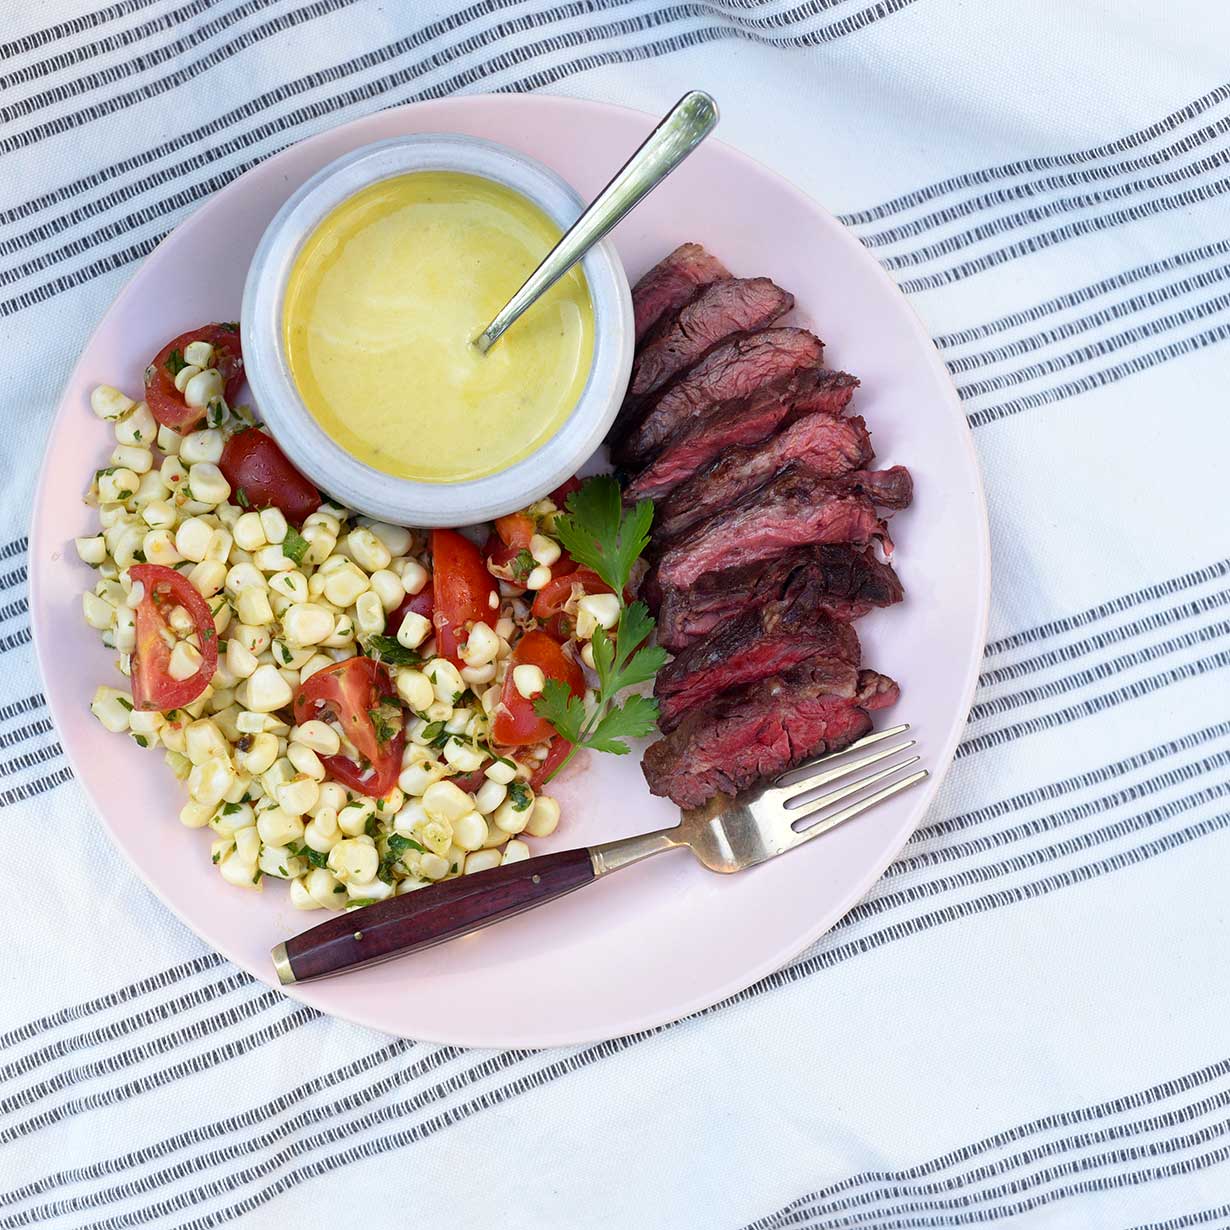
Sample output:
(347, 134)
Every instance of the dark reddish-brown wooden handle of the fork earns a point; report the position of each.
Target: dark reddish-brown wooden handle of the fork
(430, 916)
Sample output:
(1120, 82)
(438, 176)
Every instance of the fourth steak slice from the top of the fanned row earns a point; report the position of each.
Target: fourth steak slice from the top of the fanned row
(746, 421)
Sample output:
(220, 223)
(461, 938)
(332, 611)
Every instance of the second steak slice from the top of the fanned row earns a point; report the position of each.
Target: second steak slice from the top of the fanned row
(734, 306)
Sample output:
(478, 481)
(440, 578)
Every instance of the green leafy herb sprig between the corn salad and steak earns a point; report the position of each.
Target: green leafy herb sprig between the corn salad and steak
(601, 534)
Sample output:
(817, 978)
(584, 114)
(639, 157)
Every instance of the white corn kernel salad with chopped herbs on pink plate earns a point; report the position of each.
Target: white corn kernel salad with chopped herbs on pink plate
(287, 603)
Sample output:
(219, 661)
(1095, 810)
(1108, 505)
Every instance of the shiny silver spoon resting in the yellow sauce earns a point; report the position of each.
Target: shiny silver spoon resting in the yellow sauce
(691, 121)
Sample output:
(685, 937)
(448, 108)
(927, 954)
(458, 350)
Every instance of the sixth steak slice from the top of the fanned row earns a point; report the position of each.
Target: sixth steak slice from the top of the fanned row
(793, 510)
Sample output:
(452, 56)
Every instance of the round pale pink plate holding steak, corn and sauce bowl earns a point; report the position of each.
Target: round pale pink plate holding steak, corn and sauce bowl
(665, 939)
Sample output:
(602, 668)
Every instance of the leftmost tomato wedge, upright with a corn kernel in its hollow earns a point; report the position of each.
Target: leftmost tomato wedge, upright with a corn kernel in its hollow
(153, 686)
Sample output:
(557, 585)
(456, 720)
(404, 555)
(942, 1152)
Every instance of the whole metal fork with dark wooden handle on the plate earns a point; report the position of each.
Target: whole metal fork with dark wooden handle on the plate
(726, 835)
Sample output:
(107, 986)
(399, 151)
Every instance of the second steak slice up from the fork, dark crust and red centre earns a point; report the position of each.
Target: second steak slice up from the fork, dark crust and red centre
(753, 646)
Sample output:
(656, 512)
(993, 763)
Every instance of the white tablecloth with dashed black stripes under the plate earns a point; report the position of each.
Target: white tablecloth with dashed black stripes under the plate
(1028, 1022)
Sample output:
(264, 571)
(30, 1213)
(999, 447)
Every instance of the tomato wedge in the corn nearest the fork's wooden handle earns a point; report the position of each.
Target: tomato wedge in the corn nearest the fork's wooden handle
(359, 694)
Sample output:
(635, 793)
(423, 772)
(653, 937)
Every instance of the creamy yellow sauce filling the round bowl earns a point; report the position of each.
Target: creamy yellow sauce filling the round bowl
(384, 302)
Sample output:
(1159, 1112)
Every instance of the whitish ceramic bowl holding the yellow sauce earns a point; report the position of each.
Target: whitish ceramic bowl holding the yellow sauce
(327, 463)
